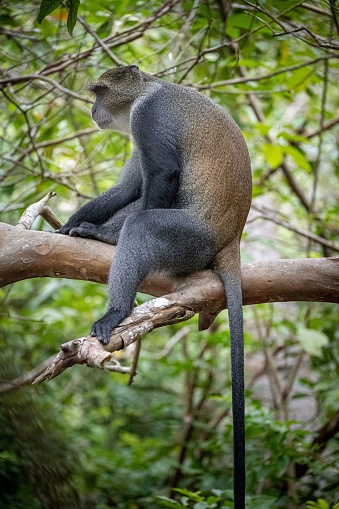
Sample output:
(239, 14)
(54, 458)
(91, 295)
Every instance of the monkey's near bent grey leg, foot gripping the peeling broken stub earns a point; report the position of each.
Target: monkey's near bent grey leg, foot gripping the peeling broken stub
(157, 239)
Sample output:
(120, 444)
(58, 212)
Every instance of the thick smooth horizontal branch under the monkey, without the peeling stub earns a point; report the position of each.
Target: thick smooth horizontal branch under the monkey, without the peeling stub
(27, 254)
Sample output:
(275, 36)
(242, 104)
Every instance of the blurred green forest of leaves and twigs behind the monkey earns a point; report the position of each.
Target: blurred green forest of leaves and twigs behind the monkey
(87, 439)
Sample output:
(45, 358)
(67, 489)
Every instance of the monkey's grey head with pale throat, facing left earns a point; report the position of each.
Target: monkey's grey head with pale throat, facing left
(115, 92)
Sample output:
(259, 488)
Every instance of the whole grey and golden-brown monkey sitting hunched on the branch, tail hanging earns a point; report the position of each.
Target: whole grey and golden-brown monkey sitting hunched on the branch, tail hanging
(180, 205)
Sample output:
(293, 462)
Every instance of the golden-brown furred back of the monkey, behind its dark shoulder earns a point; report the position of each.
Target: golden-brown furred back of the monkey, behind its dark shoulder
(216, 181)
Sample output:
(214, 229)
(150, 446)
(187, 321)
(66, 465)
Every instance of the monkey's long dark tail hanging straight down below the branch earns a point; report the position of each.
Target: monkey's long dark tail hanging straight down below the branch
(232, 283)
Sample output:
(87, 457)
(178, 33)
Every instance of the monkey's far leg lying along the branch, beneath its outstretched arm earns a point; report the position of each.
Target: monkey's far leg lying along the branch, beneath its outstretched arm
(108, 232)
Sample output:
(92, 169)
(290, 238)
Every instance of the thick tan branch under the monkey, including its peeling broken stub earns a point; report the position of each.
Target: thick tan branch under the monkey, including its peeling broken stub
(27, 254)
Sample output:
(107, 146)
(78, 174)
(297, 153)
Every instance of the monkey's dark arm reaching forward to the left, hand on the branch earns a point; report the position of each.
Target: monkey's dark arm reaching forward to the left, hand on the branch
(102, 208)
